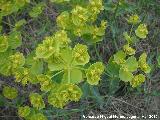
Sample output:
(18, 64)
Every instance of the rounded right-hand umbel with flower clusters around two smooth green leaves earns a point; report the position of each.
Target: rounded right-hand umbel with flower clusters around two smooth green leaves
(127, 66)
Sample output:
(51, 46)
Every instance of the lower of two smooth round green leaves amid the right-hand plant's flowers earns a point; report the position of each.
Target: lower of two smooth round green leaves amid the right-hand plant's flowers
(125, 76)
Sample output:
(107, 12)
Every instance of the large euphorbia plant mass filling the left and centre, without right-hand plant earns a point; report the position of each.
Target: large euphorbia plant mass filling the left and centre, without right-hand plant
(54, 57)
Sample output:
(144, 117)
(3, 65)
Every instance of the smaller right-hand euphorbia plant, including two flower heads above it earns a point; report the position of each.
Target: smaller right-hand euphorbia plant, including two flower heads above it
(124, 64)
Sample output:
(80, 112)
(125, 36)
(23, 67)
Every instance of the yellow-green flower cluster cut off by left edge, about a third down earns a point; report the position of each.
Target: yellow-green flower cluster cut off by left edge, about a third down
(3, 43)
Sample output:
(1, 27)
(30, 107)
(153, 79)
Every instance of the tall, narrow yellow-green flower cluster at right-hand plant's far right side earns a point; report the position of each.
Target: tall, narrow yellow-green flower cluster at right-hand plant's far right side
(143, 64)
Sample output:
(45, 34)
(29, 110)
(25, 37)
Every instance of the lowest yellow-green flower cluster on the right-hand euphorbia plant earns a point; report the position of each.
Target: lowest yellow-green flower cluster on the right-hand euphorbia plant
(137, 80)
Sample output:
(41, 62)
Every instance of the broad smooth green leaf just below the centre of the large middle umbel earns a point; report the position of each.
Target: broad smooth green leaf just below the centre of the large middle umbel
(72, 76)
